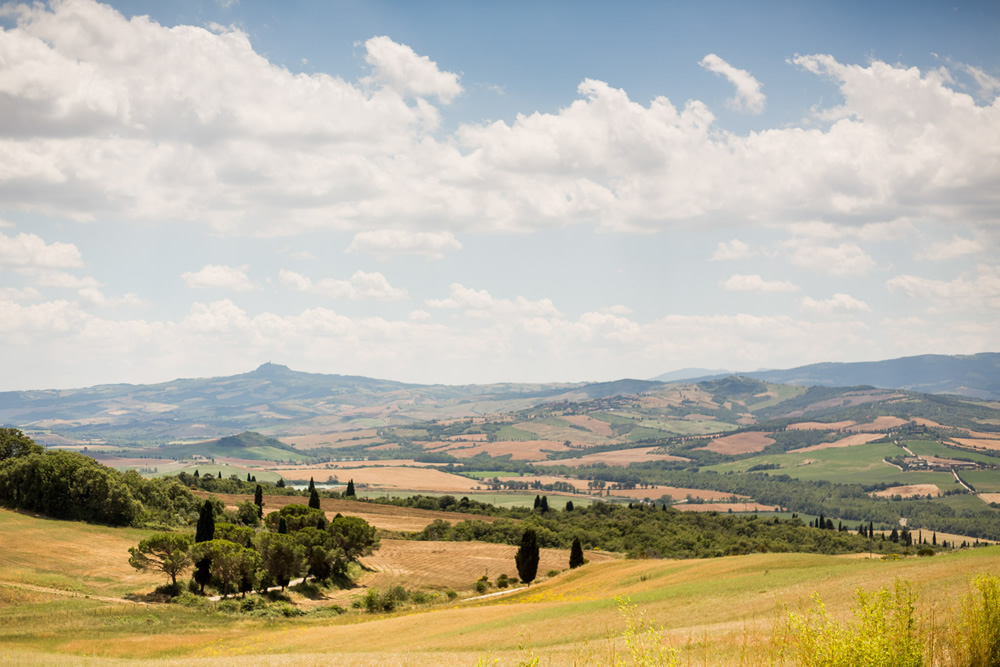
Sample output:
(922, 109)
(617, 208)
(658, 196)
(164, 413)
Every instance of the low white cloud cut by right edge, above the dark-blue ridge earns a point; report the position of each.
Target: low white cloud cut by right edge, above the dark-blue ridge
(973, 291)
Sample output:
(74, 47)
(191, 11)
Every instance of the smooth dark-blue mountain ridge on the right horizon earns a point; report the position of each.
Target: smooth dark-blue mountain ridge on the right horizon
(974, 376)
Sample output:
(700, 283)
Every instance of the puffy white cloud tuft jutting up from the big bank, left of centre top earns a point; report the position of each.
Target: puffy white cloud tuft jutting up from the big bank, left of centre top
(399, 67)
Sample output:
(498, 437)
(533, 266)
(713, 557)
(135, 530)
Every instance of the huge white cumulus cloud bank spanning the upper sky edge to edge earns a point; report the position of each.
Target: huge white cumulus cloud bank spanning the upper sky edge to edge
(230, 140)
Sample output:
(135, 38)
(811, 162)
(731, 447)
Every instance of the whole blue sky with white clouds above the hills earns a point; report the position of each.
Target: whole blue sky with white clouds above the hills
(478, 192)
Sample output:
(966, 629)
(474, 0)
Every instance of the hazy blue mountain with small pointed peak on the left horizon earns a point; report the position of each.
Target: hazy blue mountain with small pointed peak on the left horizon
(274, 399)
